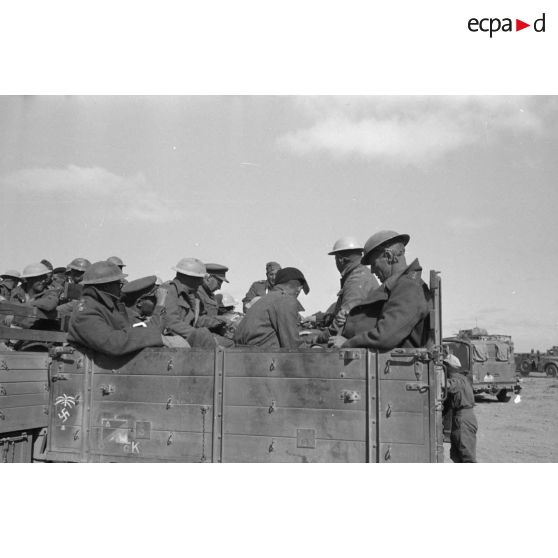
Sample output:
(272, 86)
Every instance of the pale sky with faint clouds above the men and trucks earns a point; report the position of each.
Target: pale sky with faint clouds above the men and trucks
(242, 180)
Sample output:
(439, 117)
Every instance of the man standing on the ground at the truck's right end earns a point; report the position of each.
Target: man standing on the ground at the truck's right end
(464, 426)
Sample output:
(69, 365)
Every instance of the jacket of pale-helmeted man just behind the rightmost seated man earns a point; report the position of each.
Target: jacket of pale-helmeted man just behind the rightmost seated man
(357, 282)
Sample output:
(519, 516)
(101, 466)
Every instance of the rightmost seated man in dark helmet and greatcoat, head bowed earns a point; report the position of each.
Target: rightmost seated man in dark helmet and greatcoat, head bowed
(395, 314)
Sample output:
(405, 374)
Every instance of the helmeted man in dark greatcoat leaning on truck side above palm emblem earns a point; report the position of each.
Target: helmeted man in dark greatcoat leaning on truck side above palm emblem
(100, 322)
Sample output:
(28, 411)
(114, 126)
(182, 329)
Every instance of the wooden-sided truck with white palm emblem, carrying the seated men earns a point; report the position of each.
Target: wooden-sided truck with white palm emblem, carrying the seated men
(224, 405)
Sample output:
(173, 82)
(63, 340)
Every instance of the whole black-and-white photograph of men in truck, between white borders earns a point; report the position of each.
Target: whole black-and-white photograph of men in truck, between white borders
(199, 278)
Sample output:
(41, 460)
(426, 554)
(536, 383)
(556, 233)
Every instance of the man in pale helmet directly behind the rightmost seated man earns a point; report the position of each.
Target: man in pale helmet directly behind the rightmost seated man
(356, 284)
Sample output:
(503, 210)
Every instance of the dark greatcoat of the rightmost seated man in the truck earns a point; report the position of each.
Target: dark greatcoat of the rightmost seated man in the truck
(394, 315)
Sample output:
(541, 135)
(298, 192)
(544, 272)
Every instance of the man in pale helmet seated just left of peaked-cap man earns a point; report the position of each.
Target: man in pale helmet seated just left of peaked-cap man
(182, 305)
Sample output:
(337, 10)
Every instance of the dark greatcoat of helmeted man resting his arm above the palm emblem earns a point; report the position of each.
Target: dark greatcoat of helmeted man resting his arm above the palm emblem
(97, 322)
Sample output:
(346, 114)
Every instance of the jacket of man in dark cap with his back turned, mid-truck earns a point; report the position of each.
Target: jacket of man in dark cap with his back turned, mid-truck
(272, 322)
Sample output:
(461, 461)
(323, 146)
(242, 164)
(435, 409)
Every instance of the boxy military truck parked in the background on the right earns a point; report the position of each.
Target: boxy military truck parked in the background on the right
(489, 359)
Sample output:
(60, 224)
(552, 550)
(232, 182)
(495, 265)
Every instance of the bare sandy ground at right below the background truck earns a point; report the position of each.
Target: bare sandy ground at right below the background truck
(524, 432)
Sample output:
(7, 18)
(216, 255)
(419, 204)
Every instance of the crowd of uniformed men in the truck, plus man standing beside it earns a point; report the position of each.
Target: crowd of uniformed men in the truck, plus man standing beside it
(110, 315)
